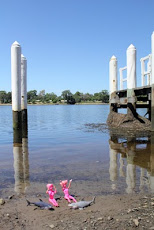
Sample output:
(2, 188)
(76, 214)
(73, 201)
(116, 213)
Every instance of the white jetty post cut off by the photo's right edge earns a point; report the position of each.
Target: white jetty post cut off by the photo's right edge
(152, 83)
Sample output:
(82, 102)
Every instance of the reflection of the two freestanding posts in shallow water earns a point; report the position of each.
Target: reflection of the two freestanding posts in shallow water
(21, 162)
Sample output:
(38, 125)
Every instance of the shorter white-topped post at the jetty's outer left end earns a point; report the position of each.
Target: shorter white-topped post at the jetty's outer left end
(113, 83)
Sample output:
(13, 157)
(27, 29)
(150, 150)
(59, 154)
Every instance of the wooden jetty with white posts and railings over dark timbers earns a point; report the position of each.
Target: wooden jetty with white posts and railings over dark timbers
(133, 97)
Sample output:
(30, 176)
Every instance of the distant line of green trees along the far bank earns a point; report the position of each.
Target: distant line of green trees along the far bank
(66, 97)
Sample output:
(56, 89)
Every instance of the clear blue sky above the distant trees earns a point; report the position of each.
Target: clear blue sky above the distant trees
(68, 43)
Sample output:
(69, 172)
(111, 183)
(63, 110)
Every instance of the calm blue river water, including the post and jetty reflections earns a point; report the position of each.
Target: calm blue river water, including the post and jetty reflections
(62, 145)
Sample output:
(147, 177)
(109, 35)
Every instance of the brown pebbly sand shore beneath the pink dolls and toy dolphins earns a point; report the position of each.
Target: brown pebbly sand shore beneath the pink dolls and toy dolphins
(108, 212)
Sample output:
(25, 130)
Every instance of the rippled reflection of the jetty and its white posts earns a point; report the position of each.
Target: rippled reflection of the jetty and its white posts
(130, 156)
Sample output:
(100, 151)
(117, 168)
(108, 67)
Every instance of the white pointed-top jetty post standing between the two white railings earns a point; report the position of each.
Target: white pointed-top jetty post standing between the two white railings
(131, 81)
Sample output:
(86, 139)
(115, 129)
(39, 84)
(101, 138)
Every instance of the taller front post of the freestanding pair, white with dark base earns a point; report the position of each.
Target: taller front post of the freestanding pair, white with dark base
(16, 84)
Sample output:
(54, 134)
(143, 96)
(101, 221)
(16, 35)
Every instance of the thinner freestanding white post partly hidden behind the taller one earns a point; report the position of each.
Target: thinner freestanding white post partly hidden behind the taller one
(24, 95)
